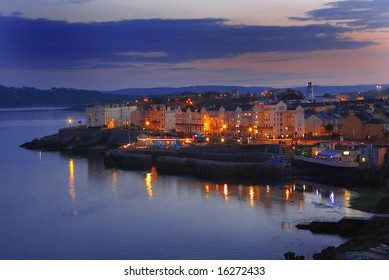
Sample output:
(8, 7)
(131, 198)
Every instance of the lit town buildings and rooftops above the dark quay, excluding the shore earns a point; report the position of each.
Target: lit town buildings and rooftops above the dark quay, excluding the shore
(253, 117)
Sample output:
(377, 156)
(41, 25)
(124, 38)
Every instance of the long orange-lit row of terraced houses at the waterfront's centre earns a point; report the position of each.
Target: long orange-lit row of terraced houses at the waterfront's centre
(257, 121)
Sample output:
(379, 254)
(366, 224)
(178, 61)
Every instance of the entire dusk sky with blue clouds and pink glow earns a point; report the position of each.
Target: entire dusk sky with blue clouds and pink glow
(115, 44)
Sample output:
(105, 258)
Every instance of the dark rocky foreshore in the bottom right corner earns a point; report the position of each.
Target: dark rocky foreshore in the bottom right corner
(368, 239)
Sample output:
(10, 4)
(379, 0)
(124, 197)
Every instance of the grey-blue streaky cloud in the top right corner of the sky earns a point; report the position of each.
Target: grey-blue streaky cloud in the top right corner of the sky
(360, 14)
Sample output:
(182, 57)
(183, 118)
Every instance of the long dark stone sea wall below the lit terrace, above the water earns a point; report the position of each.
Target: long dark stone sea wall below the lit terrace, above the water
(237, 161)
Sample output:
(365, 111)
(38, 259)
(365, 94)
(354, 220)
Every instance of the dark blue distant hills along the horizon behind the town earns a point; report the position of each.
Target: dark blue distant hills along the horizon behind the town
(33, 97)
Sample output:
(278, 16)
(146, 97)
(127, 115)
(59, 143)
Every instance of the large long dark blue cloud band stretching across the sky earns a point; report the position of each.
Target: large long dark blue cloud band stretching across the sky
(41, 43)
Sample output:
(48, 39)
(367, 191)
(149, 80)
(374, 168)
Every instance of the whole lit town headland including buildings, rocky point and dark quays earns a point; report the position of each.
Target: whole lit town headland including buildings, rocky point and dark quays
(273, 135)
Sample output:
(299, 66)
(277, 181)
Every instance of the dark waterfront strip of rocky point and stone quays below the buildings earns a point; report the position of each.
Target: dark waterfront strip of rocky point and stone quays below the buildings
(274, 160)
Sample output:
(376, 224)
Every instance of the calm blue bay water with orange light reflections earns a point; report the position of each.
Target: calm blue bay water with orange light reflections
(56, 206)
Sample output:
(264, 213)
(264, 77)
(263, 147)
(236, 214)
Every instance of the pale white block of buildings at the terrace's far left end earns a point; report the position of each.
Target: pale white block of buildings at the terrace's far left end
(110, 116)
